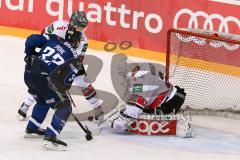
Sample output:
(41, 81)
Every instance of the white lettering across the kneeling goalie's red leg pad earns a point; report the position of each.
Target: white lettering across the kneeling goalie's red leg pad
(152, 127)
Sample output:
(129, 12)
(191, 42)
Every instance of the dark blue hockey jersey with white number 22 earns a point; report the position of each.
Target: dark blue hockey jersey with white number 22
(54, 52)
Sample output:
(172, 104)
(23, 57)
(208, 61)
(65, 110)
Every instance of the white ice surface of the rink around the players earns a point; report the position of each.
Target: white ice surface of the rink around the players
(217, 138)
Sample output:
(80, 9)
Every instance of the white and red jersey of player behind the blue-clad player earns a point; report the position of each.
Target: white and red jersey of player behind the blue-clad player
(59, 28)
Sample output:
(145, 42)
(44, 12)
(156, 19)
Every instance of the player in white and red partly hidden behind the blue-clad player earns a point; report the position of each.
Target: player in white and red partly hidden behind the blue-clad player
(59, 28)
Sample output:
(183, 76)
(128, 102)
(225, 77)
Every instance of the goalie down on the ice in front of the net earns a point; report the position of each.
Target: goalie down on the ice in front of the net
(149, 93)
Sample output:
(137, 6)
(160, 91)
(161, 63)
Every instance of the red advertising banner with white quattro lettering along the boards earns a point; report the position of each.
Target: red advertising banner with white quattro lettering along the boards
(144, 23)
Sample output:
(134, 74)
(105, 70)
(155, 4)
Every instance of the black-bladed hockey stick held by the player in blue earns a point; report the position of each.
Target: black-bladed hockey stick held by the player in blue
(85, 129)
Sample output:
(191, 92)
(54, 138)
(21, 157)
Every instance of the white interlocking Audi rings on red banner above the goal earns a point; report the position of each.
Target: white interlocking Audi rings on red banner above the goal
(208, 23)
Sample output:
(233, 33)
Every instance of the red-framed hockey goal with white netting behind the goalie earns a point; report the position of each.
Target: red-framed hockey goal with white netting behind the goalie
(207, 65)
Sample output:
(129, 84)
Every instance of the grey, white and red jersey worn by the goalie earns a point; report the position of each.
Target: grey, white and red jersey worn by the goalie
(148, 82)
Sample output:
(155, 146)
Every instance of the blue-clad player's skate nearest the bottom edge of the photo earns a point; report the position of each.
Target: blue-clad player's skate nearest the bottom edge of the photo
(52, 143)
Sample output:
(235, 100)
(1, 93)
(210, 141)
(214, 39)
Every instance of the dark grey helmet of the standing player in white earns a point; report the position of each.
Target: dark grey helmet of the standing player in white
(79, 19)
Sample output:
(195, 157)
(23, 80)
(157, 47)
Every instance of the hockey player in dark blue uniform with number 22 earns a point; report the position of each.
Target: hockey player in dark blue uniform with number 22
(48, 75)
